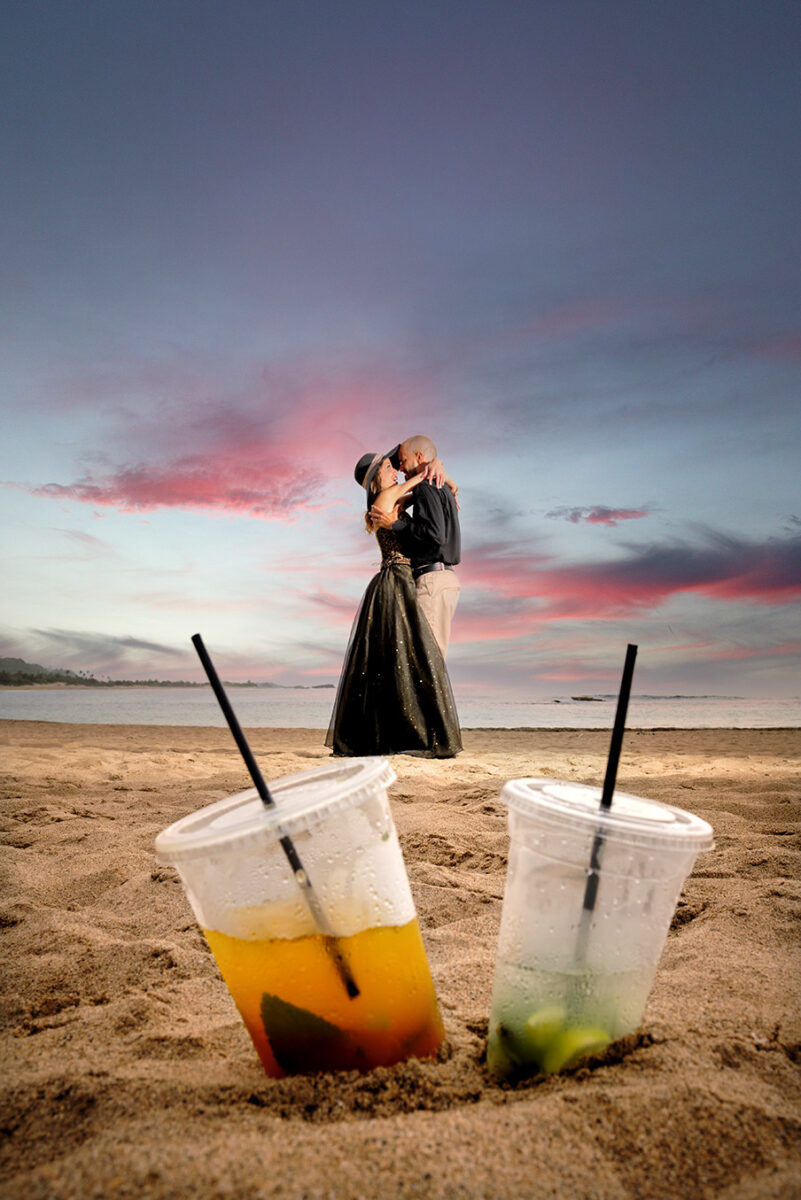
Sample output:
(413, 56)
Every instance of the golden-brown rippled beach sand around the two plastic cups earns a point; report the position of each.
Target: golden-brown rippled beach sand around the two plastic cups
(125, 1070)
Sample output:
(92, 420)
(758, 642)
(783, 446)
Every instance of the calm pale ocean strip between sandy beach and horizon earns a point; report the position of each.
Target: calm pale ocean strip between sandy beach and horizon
(311, 709)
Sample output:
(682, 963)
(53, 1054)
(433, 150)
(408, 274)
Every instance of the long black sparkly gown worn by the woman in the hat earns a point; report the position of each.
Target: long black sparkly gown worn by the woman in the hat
(394, 695)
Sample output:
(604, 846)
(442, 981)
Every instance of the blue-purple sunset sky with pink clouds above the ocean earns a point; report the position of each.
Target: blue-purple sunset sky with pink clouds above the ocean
(245, 243)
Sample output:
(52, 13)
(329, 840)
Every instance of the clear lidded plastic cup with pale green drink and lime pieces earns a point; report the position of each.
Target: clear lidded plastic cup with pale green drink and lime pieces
(574, 973)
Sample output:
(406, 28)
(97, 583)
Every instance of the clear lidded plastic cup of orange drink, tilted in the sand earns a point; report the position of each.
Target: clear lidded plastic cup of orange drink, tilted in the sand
(281, 971)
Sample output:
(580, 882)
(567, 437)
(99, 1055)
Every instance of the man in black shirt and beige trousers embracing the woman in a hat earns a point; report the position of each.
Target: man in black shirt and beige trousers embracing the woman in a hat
(431, 537)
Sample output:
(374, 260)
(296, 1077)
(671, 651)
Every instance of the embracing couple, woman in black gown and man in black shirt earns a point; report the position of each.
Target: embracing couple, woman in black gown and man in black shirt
(395, 695)
